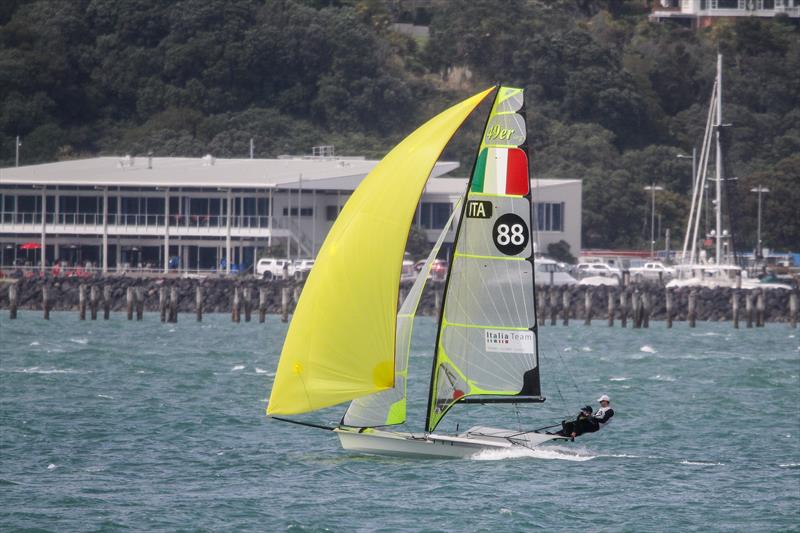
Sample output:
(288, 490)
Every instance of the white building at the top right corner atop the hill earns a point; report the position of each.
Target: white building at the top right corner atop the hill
(701, 13)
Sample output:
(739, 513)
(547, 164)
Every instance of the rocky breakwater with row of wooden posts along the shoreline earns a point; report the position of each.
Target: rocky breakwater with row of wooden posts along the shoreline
(170, 297)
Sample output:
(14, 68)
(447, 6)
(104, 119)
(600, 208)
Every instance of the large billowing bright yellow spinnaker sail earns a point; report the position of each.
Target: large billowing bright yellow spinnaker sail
(341, 341)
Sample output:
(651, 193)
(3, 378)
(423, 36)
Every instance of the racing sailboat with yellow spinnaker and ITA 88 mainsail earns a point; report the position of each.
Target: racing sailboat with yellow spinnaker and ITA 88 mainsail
(348, 342)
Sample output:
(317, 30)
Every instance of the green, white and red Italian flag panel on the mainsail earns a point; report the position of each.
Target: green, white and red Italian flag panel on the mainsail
(501, 171)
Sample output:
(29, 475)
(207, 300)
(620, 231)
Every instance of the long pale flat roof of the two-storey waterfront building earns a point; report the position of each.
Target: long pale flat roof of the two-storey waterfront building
(326, 173)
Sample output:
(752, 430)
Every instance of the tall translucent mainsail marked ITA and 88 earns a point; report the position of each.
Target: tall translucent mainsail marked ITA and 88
(487, 347)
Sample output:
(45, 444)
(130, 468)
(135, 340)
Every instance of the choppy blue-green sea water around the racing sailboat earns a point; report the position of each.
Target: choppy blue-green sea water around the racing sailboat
(151, 426)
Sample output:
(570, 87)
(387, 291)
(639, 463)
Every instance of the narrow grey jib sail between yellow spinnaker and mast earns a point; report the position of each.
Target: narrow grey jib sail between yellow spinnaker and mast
(388, 407)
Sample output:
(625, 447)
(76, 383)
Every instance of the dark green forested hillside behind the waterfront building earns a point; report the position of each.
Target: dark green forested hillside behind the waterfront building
(612, 98)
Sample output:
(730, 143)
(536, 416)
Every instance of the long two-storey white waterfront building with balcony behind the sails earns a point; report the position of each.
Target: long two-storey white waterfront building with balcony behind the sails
(173, 213)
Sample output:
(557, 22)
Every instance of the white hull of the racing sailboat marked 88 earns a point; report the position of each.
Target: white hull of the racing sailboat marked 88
(432, 445)
